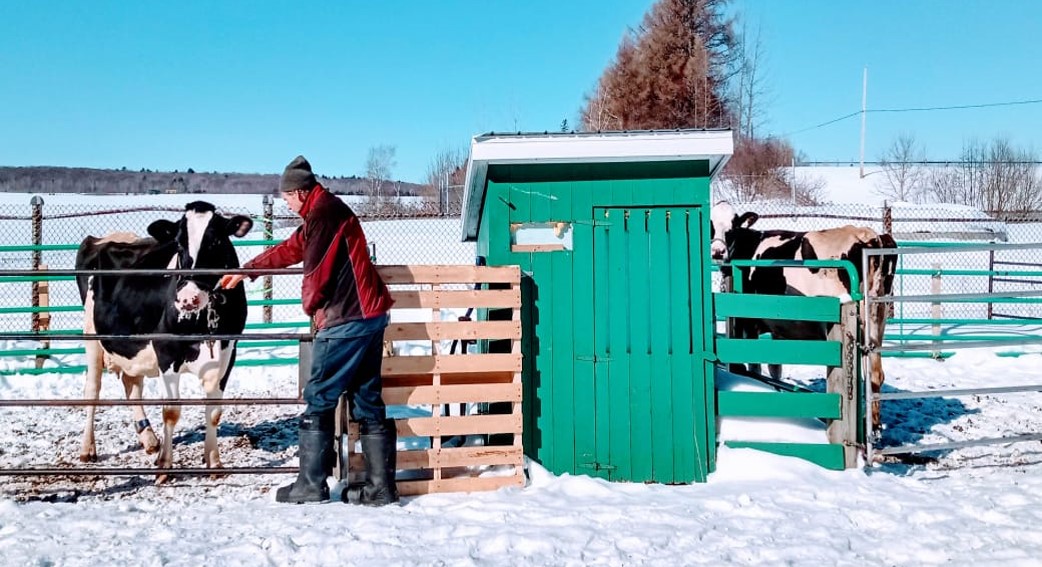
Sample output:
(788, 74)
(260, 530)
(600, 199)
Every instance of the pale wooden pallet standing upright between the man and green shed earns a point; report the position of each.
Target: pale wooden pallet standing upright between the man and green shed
(429, 301)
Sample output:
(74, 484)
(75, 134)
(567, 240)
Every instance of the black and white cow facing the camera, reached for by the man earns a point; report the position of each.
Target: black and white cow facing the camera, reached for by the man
(182, 305)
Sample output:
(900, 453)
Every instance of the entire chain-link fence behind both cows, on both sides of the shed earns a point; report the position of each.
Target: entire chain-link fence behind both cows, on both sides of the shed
(44, 233)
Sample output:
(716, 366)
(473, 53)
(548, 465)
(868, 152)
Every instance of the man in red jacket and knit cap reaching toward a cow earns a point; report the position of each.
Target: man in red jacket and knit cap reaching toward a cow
(350, 304)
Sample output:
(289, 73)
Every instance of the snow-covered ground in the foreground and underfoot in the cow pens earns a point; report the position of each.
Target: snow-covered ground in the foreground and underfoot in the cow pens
(979, 506)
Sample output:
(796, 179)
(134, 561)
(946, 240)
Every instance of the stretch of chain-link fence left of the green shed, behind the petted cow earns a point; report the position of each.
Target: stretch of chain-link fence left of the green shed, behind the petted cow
(44, 233)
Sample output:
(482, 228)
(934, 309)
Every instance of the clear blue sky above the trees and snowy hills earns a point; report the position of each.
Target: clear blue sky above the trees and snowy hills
(237, 86)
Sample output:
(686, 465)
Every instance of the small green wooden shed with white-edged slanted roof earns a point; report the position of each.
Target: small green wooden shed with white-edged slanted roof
(611, 231)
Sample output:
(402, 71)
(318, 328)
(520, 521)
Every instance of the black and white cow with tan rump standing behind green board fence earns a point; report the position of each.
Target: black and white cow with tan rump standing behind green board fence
(734, 239)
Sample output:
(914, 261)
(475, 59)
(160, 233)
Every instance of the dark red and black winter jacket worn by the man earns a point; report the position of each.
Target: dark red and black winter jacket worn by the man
(340, 283)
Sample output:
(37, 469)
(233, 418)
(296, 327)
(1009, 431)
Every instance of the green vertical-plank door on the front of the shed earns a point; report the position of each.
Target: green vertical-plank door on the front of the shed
(650, 360)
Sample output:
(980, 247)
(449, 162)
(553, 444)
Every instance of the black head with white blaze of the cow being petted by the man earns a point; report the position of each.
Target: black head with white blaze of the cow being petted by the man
(203, 241)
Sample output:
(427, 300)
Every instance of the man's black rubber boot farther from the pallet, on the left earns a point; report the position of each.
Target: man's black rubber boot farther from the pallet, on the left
(316, 463)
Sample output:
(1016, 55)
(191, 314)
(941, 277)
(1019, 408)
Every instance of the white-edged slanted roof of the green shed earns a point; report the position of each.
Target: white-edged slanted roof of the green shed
(613, 147)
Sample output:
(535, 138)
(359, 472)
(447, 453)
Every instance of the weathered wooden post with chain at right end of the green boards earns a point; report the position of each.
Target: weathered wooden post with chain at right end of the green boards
(843, 380)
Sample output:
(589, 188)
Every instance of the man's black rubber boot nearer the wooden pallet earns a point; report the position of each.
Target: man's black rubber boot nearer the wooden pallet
(382, 460)
